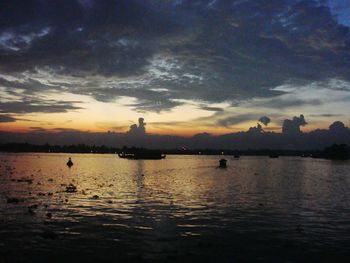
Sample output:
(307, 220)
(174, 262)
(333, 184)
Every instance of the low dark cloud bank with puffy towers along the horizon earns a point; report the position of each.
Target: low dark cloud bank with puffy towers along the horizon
(253, 138)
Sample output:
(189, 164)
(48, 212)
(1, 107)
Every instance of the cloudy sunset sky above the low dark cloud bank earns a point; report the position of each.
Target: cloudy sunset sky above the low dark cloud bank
(186, 66)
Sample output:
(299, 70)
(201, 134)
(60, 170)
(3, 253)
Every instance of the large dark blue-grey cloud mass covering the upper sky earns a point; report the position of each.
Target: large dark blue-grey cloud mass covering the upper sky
(211, 51)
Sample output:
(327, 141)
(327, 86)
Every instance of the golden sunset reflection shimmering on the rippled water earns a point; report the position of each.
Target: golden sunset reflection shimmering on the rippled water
(182, 185)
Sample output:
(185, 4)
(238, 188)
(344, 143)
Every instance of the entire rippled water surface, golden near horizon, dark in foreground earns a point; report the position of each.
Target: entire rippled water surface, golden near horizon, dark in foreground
(182, 208)
